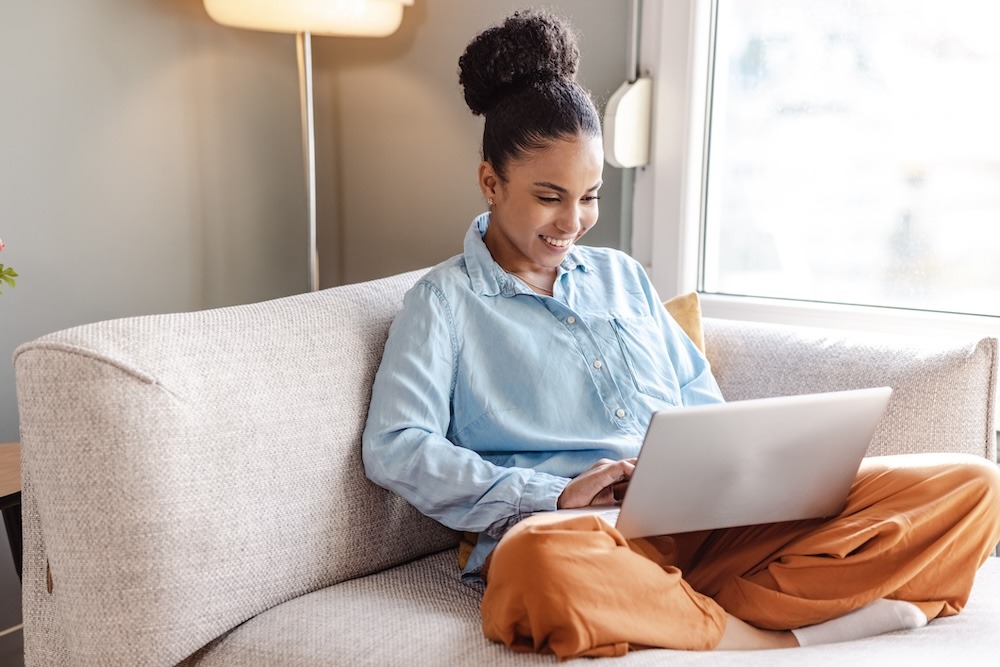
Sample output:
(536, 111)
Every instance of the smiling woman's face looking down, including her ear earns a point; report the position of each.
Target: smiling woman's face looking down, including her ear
(547, 202)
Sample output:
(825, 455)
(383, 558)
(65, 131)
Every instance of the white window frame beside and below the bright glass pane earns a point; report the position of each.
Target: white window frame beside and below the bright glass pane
(668, 205)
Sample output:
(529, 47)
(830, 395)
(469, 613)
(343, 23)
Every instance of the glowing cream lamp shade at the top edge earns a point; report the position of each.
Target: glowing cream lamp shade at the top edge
(359, 18)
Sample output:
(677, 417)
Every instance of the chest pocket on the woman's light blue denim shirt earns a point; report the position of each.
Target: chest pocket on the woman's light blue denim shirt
(645, 355)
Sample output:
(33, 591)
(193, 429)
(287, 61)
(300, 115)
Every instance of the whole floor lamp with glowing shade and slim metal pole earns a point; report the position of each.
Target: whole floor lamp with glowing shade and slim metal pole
(353, 18)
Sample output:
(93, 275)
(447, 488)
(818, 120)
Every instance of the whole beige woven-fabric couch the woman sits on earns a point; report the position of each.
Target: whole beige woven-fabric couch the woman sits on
(193, 489)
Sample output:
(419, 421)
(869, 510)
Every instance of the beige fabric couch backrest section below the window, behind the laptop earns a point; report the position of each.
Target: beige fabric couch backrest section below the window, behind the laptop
(944, 388)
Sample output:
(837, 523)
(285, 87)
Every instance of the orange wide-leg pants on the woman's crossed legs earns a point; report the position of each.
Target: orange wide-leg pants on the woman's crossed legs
(915, 528)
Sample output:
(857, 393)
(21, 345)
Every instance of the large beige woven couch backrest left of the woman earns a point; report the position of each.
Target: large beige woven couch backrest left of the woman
(185, 472)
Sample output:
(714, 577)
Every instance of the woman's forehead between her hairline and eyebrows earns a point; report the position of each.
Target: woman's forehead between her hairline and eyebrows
(576, 162)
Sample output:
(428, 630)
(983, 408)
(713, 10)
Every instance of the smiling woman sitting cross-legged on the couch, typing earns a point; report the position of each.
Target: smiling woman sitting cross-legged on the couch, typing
(520, 376)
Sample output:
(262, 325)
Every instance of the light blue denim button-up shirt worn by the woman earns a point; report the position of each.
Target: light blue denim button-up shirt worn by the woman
(490, 397)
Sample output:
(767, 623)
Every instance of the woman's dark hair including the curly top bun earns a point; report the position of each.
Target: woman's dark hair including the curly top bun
(521, 75)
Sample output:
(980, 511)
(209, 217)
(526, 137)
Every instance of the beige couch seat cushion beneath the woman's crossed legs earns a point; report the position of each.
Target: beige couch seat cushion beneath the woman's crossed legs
(422, 614)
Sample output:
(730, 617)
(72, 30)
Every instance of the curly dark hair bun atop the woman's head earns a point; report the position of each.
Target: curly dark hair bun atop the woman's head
(529, 48)
